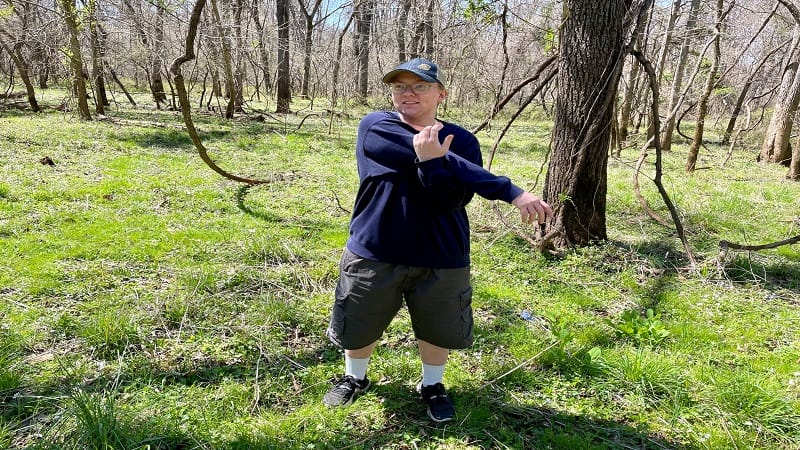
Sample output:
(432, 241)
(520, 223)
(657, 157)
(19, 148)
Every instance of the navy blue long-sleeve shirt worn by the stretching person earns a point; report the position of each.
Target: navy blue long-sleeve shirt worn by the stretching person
(411, 212)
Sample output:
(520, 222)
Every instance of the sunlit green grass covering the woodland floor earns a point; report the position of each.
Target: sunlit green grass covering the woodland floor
(148, 303)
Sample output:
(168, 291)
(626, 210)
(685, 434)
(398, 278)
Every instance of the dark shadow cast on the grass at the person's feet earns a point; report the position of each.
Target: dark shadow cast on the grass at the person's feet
(487, 420)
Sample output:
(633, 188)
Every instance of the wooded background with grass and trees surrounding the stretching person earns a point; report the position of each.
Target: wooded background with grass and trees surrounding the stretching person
(150, 303)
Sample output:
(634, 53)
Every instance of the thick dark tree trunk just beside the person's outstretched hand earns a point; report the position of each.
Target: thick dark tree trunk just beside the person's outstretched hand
(576, 180)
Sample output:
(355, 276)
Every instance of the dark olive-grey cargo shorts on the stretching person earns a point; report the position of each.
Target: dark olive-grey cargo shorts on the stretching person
(370, 293)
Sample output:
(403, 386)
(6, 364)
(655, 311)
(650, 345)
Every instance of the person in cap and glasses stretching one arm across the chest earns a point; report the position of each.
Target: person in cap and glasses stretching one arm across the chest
(409, 235)
